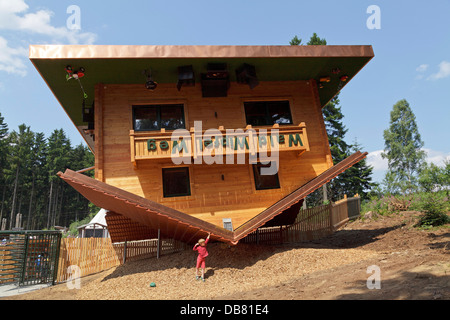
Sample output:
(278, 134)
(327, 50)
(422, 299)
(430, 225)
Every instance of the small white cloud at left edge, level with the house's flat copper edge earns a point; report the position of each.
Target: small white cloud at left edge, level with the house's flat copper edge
(11, 59)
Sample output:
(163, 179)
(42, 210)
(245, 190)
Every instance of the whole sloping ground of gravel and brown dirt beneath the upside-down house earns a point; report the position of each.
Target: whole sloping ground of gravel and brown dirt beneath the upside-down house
(413, 264)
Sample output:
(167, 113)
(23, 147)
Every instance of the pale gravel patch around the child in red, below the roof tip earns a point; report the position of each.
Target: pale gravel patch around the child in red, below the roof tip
(229, 270)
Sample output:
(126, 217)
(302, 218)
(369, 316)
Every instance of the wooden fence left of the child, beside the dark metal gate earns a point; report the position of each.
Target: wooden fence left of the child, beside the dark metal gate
(92, 255)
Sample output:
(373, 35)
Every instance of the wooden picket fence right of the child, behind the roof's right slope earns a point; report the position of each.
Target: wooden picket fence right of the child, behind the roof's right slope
(310, 224)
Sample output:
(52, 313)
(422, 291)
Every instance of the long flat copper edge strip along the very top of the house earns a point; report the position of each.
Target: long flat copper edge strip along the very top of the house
(194, 51)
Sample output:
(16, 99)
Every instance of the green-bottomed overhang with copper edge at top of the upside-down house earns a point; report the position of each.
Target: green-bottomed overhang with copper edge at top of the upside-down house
(122, 64)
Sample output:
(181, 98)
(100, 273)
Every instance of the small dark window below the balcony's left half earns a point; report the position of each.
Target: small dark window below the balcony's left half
(176, 182)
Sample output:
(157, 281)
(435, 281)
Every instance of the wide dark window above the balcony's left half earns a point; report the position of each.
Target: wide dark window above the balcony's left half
(155, 117)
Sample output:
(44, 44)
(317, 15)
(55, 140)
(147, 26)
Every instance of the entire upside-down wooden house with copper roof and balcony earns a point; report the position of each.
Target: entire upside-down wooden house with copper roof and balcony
(184, 136)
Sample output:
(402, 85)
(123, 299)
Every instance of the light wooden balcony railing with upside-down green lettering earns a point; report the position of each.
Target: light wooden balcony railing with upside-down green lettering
(214, 142)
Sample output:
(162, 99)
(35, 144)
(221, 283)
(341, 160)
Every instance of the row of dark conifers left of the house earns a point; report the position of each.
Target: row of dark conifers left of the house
(32, 196)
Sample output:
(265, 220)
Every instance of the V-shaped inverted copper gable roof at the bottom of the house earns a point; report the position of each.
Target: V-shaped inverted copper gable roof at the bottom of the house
(134, 217)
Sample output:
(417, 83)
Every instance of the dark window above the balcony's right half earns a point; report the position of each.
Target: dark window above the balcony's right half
(265, 113)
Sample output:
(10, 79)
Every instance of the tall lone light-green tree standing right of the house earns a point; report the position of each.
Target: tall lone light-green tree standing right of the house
(403, 149)
